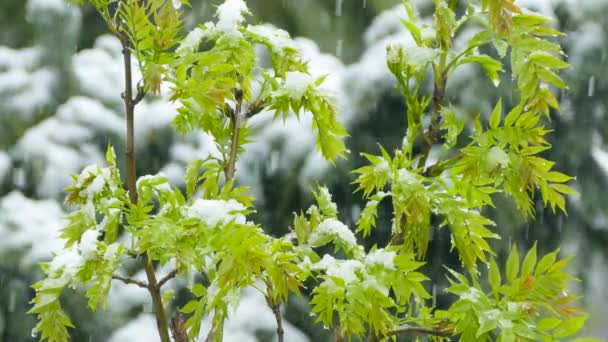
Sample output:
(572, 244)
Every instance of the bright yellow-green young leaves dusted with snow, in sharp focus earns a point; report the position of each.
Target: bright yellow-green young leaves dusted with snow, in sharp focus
(213, 72)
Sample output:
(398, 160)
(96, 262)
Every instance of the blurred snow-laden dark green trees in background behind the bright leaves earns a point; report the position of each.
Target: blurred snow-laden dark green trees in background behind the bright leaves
(59, 105)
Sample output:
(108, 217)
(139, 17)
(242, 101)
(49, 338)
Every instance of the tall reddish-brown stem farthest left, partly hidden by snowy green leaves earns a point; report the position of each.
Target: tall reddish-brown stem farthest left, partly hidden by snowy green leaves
(159, 310)
